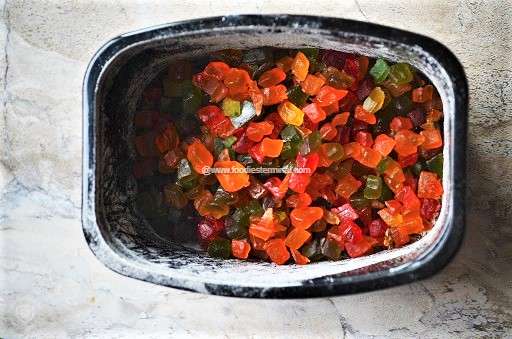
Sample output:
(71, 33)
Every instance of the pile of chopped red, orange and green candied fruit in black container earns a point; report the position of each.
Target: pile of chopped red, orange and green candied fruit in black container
(301, 155)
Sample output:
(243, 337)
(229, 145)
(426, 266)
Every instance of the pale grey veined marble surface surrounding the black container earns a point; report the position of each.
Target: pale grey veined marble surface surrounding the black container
(52, 286)
